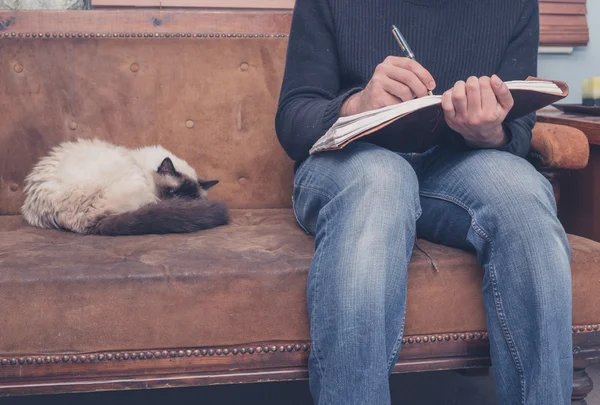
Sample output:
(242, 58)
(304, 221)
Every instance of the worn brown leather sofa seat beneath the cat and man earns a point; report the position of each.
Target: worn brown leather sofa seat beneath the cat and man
(238, 284)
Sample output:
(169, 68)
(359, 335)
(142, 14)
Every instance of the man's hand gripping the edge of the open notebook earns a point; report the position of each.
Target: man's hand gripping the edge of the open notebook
(476, 110)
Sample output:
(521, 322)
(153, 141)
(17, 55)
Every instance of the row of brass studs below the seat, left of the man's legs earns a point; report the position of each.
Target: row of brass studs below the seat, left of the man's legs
(150, 355)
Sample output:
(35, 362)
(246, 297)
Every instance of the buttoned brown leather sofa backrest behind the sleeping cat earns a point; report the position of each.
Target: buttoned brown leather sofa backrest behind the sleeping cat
(203, 84)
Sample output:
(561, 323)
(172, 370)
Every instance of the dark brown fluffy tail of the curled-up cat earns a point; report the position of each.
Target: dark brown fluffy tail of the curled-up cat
(169, 216)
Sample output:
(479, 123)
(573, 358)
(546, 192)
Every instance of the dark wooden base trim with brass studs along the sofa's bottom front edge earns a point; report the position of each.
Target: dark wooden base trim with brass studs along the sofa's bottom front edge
(270, 361)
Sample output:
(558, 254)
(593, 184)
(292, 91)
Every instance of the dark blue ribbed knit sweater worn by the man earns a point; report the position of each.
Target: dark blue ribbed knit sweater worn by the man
(335, 45)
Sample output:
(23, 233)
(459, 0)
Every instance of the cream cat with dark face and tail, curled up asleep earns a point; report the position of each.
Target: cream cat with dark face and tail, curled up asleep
(94, 187)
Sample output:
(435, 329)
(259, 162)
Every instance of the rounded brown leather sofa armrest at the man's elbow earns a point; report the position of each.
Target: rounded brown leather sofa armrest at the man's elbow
(560, 146)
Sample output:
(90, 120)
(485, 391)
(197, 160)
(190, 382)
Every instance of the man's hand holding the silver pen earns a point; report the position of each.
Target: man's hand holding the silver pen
(394, 81)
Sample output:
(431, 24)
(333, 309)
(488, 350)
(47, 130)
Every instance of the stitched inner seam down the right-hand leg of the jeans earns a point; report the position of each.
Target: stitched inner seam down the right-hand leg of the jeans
(492, 271)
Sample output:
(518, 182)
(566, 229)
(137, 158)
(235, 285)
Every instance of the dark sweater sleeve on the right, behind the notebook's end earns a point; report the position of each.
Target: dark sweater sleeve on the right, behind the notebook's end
(519, 62)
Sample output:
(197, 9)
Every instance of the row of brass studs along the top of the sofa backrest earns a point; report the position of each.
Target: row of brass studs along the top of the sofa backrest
(136, 35)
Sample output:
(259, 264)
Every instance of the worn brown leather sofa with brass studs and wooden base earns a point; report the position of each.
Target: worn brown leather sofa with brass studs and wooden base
(87, 313)
